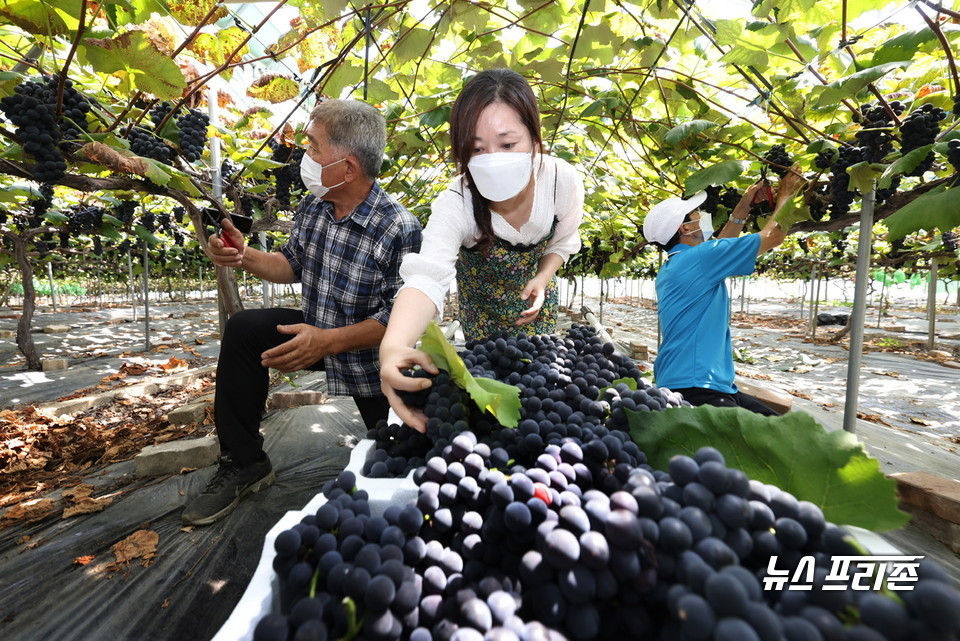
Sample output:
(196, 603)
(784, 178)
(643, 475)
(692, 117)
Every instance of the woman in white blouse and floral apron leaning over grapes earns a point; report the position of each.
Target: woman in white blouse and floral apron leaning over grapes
(503, 227)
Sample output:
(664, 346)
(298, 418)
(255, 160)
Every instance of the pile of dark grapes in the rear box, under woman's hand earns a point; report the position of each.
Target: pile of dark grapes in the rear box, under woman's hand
(560, 381)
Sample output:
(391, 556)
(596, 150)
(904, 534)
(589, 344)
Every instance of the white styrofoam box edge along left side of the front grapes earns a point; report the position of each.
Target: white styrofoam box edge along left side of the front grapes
(261, 596)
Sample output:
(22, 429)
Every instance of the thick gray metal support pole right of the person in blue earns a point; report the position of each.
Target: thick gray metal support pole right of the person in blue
(858, 317)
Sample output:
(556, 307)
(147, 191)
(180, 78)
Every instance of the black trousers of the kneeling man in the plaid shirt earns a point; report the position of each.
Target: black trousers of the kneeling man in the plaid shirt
(243, 383)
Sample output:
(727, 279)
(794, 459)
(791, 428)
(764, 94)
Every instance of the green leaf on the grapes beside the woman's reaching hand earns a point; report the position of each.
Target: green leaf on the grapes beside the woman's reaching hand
(500, 399)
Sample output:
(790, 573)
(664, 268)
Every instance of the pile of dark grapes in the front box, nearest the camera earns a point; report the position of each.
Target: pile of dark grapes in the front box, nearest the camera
(550, 551)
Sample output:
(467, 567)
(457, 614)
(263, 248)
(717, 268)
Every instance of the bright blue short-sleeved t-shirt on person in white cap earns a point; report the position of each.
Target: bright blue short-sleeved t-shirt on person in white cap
(694, 309)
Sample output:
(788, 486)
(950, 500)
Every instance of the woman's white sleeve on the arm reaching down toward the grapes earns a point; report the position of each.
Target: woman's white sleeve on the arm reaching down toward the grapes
(433, 269)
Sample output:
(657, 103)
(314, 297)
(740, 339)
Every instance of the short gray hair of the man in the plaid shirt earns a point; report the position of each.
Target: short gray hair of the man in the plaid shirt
(356, 128)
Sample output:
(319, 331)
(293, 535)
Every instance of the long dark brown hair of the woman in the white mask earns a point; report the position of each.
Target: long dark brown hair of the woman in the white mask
(484, 89)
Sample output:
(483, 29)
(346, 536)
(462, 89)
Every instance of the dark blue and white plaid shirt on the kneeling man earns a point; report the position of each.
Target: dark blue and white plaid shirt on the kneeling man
(350, 271)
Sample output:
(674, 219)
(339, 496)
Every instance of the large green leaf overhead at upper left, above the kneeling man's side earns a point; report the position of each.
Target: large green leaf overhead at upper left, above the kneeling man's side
(134, 54)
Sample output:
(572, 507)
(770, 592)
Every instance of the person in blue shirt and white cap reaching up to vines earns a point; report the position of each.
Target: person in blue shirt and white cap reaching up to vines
(696, 353)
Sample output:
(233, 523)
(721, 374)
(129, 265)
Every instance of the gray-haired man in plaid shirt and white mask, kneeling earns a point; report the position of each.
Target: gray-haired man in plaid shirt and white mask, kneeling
(348, 240)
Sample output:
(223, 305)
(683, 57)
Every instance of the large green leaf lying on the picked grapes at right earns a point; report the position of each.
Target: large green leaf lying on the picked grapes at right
(792, 451)
